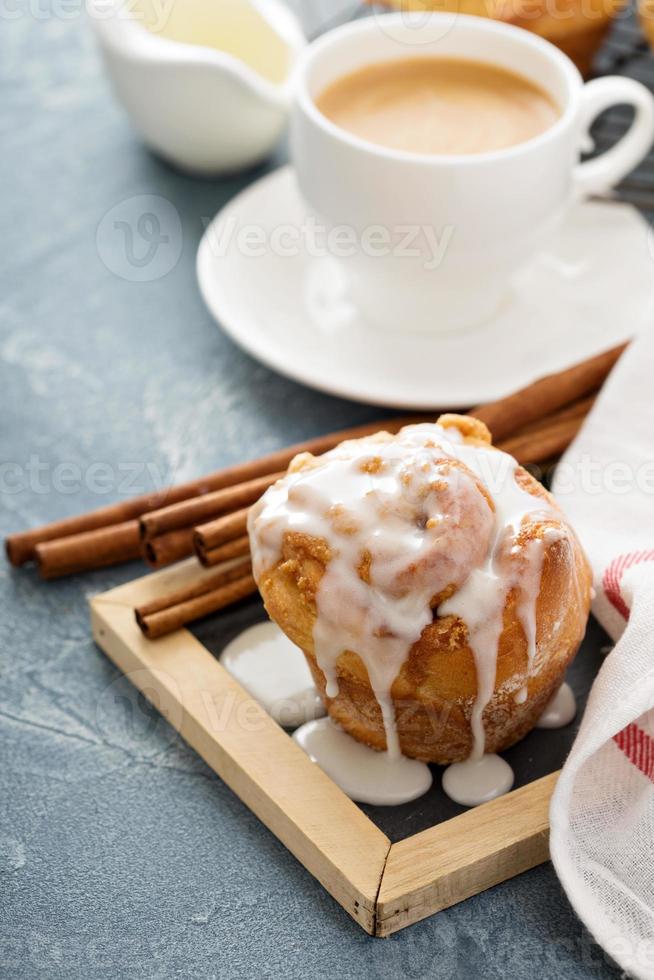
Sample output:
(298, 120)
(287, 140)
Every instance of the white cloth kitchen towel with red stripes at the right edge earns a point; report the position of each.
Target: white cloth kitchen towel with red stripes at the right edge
(602, 814)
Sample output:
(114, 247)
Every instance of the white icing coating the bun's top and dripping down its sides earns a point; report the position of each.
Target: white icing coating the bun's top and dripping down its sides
(424, 522)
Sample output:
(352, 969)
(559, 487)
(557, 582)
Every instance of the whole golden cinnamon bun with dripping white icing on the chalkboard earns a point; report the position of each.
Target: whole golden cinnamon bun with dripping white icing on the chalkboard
(435, 587)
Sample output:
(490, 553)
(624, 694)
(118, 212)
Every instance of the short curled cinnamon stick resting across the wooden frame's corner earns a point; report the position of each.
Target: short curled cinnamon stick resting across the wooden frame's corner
(170, 612)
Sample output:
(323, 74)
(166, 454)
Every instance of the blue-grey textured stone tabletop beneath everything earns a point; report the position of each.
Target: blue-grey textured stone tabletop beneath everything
(121, 855)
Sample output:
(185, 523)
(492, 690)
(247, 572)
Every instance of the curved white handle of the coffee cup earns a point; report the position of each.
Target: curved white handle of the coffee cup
(605, 171)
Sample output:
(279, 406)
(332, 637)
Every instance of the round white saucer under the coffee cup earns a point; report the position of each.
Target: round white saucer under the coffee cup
(592, 290)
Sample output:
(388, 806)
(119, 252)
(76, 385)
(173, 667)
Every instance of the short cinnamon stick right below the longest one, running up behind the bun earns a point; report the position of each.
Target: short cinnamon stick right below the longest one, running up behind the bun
(199, 510)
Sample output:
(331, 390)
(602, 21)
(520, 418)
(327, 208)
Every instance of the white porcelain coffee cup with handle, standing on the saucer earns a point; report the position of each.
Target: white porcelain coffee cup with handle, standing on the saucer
(438, 238)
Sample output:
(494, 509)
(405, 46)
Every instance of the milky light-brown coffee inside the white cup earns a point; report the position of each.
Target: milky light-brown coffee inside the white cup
(438, 105)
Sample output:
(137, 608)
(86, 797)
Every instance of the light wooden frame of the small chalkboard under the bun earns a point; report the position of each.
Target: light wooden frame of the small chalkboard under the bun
(384, 887)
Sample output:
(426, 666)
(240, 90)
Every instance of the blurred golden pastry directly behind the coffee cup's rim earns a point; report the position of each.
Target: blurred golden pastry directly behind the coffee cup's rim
(577, 27)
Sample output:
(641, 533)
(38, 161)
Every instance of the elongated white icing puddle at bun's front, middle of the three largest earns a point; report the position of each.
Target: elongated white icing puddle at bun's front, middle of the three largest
(365, 775)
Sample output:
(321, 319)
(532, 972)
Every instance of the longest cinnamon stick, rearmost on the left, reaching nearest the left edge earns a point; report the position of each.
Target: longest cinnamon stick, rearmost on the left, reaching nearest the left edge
(21, 547)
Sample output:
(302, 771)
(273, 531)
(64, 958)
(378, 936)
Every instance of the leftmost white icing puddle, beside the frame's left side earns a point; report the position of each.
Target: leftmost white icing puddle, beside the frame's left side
(274, 671)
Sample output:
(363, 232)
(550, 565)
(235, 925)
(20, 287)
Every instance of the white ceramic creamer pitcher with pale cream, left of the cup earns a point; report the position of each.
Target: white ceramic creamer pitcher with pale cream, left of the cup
(205, 82)
